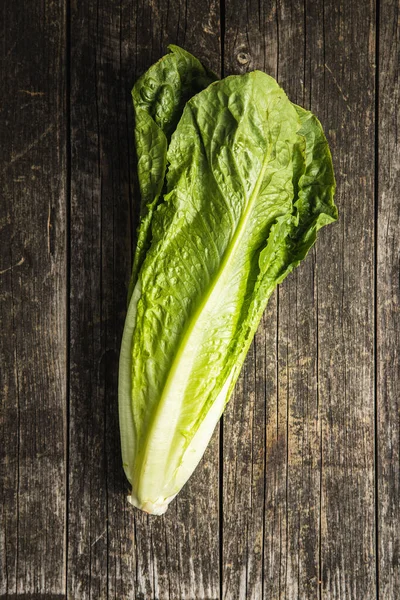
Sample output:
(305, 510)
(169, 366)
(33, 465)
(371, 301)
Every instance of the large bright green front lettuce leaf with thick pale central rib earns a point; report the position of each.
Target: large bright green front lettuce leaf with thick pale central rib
(249, 184)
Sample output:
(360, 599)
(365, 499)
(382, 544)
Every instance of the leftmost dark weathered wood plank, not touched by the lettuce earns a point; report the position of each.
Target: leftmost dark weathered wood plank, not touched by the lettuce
(32, 301)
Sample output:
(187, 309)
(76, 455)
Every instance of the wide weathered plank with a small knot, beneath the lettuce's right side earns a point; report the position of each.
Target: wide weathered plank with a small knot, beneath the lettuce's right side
(321, 518)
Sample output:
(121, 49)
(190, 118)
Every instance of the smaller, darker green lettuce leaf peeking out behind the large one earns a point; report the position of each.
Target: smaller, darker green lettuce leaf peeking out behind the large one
(159, 97)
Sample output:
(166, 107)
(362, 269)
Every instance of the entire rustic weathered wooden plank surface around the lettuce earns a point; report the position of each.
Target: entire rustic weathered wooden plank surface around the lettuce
(298, 496)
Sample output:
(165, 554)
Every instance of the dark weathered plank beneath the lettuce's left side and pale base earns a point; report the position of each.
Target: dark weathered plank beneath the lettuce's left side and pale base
(115, 551)
